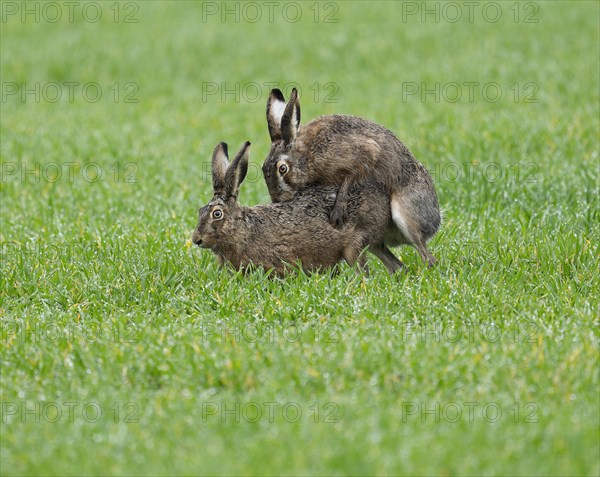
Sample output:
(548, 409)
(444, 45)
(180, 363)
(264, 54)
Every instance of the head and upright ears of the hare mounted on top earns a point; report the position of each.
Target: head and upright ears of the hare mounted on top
(284, 173)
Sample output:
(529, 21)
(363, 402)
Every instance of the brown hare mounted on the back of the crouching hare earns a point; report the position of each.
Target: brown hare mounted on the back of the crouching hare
(342, 151)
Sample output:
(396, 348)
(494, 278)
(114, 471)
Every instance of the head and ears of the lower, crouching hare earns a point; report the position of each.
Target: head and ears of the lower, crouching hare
(217, 219)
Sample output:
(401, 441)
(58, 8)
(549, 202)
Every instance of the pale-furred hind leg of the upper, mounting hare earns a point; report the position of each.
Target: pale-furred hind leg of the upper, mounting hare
(406, 217)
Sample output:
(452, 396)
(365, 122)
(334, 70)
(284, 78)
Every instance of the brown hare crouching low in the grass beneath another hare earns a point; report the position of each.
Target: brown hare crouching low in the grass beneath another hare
(280, 234)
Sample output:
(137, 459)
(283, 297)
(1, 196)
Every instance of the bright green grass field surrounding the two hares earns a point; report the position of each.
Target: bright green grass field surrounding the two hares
(126, 351)
